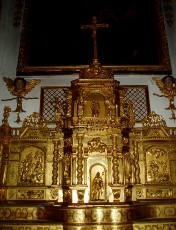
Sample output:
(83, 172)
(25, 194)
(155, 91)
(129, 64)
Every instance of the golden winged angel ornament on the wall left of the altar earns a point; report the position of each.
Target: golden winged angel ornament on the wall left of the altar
(19, 87)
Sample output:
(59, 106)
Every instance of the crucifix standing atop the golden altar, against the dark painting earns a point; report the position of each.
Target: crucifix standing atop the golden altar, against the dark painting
(94, 26)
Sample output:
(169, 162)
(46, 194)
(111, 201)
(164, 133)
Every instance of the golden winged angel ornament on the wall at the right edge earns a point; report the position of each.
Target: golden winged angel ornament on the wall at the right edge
(167, 86)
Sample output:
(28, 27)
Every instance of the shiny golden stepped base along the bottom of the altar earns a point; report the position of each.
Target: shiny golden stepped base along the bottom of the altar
(126, 216)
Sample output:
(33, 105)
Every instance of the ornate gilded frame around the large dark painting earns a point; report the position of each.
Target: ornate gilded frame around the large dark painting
(163, 66)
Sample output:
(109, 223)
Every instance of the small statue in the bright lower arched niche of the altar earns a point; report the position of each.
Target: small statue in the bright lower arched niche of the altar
(97, 187)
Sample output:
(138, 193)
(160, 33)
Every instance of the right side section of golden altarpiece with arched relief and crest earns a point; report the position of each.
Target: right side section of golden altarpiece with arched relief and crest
(157, 157)
